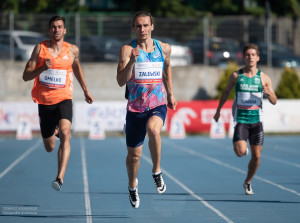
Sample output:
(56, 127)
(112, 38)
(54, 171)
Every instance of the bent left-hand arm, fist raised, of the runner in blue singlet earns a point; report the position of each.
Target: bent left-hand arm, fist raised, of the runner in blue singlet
(127, 58)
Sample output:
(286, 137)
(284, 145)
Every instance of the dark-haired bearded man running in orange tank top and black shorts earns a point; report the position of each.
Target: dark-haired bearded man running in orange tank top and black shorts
(52, 65)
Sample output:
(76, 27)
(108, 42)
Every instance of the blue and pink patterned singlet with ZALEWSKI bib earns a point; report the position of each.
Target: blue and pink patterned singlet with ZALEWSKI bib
(146, 89)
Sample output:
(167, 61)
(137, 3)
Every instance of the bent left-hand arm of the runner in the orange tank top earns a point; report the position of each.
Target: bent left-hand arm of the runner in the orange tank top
(30, 72)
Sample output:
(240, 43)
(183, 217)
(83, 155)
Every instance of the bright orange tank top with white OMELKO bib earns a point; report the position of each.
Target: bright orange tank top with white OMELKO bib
(56, 84)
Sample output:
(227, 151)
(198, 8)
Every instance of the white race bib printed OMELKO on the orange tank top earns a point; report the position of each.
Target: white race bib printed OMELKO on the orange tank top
(52, 78)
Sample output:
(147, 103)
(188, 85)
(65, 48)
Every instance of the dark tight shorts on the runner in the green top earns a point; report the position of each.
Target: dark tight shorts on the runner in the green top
(254, 132)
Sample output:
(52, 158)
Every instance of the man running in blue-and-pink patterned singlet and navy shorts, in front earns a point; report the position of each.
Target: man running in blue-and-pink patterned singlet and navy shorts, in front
(144, 67)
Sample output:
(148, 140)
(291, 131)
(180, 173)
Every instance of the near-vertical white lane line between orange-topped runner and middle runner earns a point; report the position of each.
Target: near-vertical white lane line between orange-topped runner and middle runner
(86, 184)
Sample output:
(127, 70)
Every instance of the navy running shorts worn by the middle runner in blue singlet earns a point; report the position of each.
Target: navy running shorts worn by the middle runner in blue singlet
(136, 124)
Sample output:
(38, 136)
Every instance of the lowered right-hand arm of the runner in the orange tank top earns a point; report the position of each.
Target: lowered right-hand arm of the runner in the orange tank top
(79, 74)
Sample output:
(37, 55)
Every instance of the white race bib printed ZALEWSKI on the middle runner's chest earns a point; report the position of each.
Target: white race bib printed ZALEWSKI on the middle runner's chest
(148, 72)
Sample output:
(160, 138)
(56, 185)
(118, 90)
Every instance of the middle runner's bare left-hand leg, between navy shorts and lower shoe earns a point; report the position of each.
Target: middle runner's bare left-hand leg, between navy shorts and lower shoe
(133, 164)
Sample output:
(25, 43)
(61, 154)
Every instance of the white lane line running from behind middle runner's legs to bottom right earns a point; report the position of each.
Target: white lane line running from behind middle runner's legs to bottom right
(205, 203)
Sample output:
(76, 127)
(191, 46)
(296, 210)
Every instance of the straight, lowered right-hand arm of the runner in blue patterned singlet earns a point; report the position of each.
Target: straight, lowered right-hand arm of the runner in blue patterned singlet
(167, 76)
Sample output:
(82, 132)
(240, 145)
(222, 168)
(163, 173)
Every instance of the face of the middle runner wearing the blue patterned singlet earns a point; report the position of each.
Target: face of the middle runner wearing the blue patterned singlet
(143, 27)
